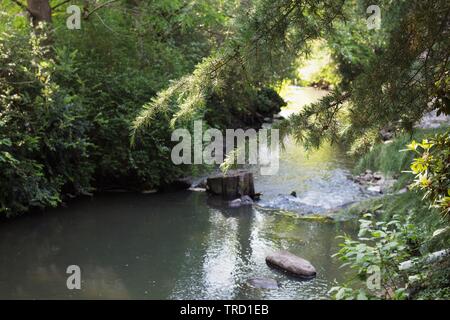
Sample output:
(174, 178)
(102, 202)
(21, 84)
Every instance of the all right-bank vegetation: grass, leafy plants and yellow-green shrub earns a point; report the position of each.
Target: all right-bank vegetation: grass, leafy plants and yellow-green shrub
(404, 226)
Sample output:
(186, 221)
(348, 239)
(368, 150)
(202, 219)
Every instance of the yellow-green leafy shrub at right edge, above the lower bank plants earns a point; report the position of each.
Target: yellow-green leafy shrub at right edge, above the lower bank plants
(432, 170)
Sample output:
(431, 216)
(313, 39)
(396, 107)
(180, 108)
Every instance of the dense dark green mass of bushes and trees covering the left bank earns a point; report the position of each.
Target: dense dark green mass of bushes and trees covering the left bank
(67, 101)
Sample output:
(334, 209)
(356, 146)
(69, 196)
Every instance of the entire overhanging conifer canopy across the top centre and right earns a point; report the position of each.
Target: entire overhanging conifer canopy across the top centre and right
(391, 76)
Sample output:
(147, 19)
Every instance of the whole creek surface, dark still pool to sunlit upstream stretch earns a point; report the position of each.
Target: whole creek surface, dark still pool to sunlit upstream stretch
(183, 245)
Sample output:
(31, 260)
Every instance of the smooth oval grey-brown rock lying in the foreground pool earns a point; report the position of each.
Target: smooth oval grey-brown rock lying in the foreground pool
(292, 264)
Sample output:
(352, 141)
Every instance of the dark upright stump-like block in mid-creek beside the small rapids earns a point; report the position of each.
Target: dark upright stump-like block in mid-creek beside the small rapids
(232, 185)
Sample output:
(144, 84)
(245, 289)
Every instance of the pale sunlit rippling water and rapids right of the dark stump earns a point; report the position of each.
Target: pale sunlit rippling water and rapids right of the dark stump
(320, 180)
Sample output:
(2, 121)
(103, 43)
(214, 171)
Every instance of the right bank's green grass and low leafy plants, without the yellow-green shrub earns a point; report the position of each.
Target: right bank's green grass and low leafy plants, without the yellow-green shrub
(397, 227)
